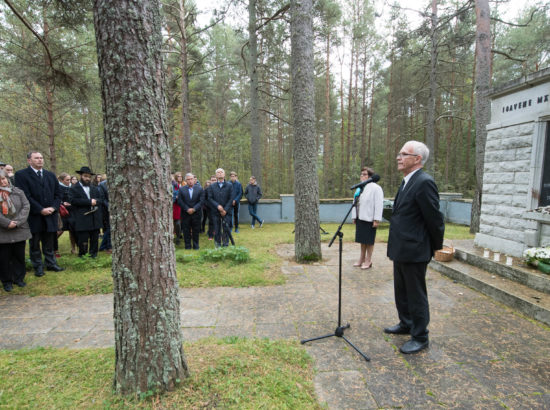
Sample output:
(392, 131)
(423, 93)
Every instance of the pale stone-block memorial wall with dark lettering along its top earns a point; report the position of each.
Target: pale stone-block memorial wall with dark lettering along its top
(513, 166)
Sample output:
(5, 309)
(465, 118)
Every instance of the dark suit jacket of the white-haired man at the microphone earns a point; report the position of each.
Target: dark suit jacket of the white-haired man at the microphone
(417, 225)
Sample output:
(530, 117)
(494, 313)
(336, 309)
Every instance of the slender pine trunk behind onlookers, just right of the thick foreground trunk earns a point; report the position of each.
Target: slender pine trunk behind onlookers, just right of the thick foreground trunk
(185, 120)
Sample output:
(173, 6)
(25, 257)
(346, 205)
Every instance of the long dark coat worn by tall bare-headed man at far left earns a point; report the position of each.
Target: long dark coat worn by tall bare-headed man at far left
(41, 194)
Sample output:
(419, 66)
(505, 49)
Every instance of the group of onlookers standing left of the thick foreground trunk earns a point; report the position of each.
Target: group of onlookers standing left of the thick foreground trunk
(39, 206)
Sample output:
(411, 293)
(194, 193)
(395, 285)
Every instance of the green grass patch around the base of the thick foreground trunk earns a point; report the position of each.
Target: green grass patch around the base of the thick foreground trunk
(229, 373)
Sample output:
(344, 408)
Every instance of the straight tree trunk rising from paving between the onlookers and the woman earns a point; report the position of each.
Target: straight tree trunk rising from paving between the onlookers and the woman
(306, 187)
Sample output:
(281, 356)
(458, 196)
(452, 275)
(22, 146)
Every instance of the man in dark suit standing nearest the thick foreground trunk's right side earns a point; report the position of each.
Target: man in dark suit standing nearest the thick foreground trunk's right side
(190, 200)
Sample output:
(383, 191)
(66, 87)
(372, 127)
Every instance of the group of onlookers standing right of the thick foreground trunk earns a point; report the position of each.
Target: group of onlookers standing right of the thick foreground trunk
(217, 203)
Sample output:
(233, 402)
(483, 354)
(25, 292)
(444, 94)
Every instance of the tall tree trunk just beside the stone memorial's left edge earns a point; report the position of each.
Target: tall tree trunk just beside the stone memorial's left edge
(483, 105)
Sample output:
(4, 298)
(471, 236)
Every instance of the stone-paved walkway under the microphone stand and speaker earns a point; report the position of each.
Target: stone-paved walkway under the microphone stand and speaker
(482, 354)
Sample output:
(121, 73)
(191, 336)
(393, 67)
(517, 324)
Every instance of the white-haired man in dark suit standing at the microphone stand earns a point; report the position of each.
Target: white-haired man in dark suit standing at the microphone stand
(416, 231)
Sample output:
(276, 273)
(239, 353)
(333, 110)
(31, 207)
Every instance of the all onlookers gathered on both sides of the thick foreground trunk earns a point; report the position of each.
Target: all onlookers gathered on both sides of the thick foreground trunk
(39, 206)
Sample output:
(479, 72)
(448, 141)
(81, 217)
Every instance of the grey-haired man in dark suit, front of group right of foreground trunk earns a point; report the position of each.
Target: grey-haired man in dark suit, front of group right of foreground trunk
(221, 199)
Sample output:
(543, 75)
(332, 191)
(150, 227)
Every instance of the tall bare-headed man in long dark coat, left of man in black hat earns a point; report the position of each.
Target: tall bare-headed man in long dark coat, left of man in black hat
(44, 194)
